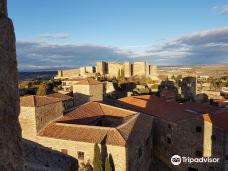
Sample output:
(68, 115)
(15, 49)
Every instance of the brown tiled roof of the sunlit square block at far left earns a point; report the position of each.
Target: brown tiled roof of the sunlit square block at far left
(37, 101)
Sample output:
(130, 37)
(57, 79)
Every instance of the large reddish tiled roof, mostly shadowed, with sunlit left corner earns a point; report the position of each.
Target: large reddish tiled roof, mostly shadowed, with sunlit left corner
(158, 107)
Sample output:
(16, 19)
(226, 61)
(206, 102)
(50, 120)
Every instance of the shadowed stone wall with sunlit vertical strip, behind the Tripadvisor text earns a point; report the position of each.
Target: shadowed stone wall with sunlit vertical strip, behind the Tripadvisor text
(183, 139)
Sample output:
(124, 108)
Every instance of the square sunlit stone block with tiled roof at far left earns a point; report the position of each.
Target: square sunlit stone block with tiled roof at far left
(44, 108)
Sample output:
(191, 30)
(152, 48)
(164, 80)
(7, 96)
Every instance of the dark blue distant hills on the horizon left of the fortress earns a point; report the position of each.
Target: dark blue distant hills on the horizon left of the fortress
(43, 75)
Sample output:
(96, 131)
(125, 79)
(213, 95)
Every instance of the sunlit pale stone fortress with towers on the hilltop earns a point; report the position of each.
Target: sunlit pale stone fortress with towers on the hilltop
(111, 69)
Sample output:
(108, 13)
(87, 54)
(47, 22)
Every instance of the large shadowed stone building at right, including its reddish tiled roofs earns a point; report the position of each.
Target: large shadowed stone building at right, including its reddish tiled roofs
(188, 130)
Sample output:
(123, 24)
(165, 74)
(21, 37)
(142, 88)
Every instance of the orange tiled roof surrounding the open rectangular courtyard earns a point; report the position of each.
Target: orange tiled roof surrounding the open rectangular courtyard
(132, 130)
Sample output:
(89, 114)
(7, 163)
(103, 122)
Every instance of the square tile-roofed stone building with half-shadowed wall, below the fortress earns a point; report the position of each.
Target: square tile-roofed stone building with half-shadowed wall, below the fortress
(87, 90)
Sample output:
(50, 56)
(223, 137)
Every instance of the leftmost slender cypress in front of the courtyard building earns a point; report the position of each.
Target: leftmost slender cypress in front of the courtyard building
(97, 161)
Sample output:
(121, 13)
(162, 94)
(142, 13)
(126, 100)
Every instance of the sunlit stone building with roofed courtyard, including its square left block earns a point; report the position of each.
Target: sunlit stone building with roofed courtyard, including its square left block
(124, 134)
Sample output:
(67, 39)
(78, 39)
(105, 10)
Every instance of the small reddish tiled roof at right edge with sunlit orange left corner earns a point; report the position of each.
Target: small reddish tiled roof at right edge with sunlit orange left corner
(219, 119)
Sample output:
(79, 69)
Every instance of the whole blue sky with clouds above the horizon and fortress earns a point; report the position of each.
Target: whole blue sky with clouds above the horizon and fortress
(54, 34)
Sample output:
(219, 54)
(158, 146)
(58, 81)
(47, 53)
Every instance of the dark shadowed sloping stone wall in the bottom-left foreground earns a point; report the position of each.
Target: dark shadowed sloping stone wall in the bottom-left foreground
(39, 157)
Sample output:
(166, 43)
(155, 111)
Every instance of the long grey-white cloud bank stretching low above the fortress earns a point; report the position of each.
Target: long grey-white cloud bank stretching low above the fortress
(205, 47)
